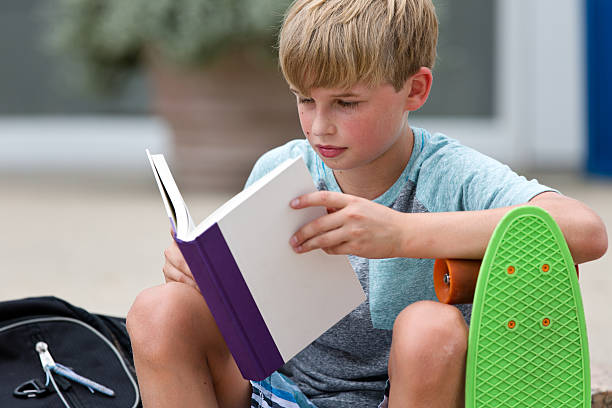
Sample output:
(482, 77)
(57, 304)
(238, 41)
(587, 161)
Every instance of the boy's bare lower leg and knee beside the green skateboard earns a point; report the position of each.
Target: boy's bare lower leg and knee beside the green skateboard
(427, 360)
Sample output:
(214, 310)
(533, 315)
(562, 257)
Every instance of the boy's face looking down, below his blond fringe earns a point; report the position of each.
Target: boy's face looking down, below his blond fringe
(355, 127)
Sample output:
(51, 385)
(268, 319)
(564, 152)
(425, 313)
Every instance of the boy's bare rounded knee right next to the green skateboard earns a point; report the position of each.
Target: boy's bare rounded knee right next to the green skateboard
(427, 331)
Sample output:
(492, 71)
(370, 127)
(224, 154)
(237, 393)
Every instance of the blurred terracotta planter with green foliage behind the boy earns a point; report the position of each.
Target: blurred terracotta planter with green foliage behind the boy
(212, 70)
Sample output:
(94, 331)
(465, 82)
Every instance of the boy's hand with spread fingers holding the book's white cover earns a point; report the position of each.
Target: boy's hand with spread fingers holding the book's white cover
(353, 226)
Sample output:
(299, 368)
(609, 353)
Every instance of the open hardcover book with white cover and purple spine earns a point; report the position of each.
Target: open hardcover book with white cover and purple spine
(268, 301)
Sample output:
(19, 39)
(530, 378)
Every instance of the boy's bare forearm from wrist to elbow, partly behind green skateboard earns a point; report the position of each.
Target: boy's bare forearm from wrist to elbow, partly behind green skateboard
(466, 234)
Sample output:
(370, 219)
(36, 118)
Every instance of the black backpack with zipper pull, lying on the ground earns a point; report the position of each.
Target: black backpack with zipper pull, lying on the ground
(95, 347)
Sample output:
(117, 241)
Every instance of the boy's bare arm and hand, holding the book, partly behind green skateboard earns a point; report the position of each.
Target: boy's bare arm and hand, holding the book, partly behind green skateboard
(361, 227)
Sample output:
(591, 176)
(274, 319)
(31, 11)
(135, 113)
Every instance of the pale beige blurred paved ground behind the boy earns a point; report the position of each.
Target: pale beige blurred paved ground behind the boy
(97, 242)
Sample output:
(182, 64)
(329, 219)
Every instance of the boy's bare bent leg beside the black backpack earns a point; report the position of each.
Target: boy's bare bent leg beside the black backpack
(180, 356)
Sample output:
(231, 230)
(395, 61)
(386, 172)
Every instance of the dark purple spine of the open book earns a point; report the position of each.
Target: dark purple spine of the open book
(231, 304)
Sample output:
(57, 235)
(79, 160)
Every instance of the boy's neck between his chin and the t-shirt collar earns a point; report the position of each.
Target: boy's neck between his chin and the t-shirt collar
(372, 180)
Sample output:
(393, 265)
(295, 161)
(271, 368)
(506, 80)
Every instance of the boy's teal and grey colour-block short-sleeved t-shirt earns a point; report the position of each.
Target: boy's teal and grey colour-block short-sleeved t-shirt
(442, 175)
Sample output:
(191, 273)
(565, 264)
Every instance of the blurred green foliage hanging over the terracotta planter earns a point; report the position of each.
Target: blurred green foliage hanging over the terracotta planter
(109, 39)
